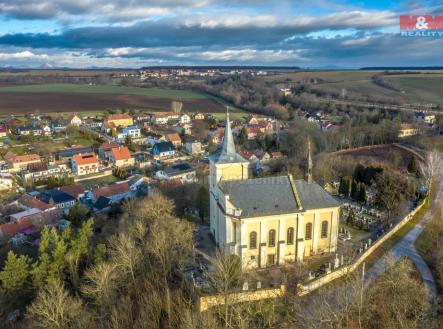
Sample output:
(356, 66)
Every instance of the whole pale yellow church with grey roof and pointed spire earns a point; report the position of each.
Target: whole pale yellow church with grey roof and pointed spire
(268, 221)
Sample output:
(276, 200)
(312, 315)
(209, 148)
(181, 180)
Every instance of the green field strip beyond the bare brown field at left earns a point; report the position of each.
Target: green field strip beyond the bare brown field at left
(105, 89)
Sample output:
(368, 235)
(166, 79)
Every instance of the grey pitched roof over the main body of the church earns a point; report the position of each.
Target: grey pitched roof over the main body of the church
(275, 195)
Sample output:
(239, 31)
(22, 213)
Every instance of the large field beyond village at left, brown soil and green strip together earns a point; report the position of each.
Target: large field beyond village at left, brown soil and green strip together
(50, 98)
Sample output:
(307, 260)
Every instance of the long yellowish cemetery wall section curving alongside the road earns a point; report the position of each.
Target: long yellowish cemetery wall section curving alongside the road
(304, 289)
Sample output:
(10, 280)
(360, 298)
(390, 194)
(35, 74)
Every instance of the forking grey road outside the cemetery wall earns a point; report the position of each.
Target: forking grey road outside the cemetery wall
(406, 248)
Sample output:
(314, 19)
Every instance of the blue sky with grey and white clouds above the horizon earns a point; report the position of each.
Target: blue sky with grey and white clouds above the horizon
(137, 33)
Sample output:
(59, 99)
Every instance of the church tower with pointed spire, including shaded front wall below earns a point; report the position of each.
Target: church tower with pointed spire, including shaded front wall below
(224, 165)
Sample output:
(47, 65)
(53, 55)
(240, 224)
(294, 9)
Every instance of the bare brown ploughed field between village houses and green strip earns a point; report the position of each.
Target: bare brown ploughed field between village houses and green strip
(22, 103)
